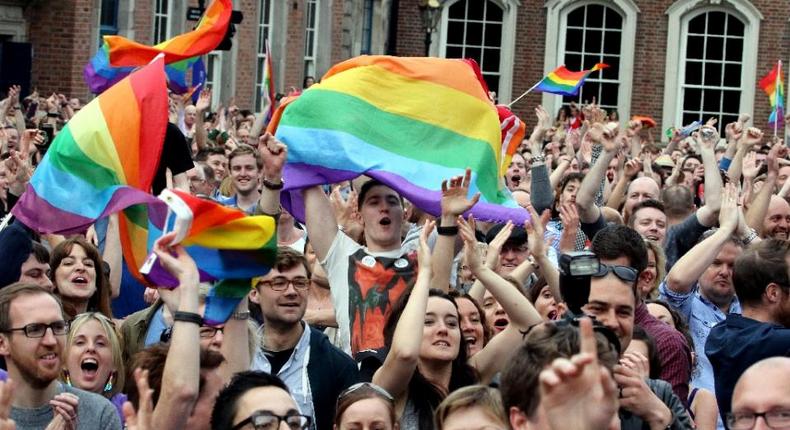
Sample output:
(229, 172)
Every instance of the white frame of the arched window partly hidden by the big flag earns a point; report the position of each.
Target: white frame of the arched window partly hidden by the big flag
(507, 45)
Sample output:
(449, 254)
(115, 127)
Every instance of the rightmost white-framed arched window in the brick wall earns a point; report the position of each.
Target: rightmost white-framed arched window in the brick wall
(706, 55)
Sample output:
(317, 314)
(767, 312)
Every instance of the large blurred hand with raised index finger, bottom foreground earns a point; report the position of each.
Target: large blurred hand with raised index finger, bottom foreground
(579, 393)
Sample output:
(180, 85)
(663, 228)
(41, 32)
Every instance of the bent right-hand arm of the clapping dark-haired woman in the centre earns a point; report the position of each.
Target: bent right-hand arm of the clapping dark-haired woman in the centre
(492, 358)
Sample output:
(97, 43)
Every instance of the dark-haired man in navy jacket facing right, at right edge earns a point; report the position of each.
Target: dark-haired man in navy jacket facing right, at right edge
(762, 282)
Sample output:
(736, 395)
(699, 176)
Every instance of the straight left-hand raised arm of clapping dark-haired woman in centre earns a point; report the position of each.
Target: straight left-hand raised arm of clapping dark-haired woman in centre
(396, 372)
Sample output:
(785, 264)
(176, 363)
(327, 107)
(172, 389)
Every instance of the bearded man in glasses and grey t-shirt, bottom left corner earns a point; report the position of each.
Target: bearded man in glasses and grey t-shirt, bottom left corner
(32, 334)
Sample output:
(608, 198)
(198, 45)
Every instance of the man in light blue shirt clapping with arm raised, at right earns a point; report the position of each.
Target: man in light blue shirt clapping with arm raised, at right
(700, 287)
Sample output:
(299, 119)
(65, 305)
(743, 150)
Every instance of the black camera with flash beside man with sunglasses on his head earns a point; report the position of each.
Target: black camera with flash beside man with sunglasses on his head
(576, 269)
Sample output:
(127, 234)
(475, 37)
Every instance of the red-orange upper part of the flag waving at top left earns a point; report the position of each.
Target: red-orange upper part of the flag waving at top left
(209, 32)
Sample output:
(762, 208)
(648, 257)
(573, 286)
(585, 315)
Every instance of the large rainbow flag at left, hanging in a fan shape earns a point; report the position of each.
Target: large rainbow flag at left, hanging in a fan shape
(105, 158)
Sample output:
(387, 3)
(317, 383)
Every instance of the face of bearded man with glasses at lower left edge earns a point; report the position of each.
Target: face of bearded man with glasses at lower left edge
(37, 361)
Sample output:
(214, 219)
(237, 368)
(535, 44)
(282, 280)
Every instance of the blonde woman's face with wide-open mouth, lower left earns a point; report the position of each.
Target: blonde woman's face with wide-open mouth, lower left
(89, 358)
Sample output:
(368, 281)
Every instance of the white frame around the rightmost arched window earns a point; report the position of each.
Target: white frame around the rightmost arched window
(680, 13)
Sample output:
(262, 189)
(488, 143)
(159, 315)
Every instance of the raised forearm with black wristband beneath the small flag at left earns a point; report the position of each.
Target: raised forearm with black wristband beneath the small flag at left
(181, 376)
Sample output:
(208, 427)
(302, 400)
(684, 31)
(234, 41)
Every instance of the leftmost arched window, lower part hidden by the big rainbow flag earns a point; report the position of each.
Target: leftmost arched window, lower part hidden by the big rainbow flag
(483, 30)
